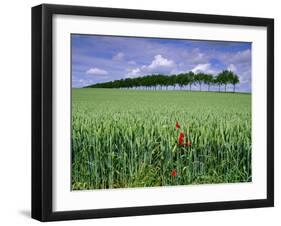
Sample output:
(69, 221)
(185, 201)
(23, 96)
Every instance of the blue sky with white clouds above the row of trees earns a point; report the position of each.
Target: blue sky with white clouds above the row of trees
(97, 58)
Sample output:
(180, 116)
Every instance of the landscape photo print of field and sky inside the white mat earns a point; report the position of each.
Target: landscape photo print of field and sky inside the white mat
(150, 112)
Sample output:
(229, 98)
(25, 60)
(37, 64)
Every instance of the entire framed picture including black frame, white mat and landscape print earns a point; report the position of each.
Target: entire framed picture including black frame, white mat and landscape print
(138, 112)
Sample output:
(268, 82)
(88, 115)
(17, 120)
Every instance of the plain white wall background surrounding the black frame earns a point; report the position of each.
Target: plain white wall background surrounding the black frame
(15, 109)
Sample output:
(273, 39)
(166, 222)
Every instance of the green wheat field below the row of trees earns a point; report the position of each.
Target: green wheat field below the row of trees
(128, 138)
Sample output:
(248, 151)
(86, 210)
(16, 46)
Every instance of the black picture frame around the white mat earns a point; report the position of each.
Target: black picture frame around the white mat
(42, 111)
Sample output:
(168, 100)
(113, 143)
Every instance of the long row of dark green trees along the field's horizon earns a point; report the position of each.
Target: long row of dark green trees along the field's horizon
(182, 80)
